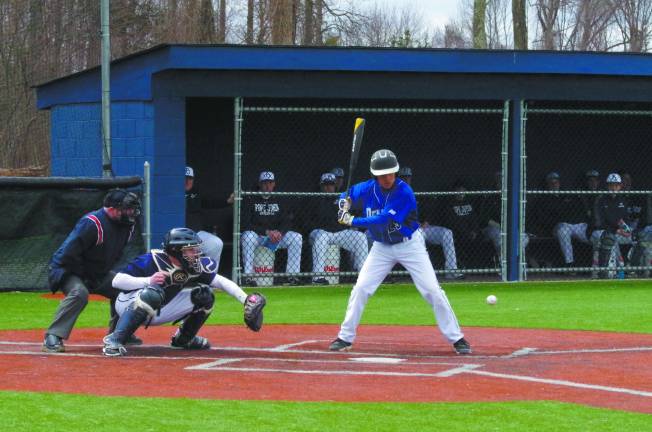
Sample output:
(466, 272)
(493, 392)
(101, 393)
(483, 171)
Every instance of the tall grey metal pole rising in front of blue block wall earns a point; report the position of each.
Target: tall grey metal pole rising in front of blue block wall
(107, 170)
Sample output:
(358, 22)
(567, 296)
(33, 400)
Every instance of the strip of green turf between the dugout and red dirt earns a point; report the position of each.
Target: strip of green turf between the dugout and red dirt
(619, 305)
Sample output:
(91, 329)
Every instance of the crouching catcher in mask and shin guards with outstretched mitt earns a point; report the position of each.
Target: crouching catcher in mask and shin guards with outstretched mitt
(174, 285)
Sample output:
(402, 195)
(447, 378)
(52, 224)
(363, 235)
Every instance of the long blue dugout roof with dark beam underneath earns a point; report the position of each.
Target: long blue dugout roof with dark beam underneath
(338, 72)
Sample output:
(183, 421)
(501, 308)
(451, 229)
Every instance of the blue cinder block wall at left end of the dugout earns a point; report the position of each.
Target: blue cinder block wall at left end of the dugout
(76, 133)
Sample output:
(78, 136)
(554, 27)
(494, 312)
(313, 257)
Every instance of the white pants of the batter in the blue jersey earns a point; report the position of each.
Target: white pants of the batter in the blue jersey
(412, 255)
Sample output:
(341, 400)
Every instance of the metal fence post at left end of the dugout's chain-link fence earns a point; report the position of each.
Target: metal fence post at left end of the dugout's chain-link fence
(237, 186)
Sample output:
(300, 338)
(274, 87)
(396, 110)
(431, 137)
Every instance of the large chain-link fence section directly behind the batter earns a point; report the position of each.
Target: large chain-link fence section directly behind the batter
(291, 164)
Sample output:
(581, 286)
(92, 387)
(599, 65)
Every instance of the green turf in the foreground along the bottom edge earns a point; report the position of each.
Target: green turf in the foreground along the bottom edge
(51, 412)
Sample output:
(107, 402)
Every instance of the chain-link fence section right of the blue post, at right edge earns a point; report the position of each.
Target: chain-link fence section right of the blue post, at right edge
(588, 192)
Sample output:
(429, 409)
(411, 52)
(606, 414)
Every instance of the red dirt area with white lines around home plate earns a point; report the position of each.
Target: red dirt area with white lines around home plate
(388, 363)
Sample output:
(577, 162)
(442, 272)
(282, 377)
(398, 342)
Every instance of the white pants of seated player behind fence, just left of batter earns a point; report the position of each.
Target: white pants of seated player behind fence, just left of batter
(353, 241)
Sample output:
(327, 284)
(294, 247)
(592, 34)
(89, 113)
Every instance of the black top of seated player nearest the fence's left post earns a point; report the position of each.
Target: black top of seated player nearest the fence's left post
(266, 212)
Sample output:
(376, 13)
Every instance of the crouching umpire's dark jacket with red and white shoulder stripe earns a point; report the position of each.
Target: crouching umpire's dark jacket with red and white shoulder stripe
(91, 249)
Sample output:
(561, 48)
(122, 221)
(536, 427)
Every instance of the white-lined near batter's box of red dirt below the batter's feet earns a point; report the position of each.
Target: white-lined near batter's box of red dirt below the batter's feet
(382, 366)
